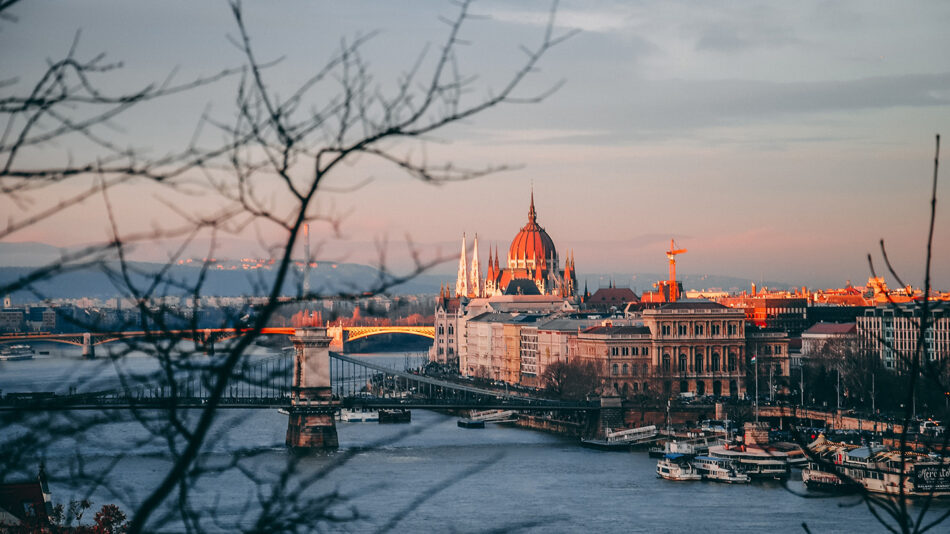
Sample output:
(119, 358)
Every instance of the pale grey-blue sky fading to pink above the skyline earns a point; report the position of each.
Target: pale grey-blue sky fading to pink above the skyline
(775, 140)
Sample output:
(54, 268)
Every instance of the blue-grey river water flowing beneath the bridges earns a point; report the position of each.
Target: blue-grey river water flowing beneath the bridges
(497, 478)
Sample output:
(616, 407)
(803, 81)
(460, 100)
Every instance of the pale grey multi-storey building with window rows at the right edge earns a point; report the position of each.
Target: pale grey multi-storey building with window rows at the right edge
(891, 331)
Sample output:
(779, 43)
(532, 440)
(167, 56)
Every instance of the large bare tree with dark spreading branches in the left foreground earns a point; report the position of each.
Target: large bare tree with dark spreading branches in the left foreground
(265, 165)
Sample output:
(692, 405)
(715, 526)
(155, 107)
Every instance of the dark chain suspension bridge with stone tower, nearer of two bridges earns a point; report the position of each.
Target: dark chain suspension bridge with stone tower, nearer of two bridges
(311, 385)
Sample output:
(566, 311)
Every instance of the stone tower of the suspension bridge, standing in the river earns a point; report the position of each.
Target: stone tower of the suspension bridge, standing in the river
(311, 424)
